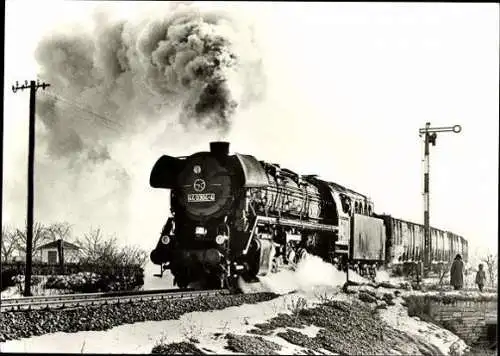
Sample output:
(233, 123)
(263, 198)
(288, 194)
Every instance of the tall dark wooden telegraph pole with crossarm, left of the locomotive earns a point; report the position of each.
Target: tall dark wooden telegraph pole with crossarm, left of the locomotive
(33, 86)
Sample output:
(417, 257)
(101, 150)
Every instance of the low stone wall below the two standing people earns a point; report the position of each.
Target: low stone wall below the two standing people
(467, 316)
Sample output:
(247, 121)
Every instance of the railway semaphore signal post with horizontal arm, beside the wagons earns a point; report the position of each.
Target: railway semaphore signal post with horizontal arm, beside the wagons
(430, 134)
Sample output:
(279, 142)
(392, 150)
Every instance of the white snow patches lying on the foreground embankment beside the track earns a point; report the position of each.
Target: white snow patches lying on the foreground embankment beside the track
(210, 327)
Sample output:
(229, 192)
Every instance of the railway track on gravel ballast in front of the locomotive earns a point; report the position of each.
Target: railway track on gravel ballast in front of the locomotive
(79, 300)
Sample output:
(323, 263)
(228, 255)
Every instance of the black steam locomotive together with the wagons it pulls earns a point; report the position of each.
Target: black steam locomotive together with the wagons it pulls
(235, 216)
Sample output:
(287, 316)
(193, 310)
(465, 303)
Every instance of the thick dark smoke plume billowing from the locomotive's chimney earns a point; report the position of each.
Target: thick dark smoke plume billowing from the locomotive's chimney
(188, 67)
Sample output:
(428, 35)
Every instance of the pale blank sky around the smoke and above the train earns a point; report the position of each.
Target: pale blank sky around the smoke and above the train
(349, 85)
